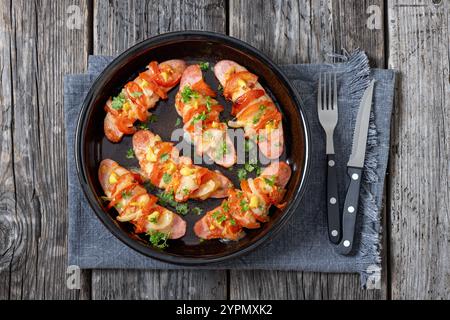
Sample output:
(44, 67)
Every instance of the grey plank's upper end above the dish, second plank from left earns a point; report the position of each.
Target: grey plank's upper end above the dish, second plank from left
(120, 24)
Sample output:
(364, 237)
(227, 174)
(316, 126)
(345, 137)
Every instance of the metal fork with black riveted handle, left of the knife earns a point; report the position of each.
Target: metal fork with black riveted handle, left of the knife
(328, 117)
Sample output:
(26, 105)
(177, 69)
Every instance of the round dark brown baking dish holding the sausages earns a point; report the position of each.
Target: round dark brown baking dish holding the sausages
(192, 46)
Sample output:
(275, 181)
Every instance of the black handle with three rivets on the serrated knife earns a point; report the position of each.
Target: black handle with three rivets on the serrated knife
(350, 210)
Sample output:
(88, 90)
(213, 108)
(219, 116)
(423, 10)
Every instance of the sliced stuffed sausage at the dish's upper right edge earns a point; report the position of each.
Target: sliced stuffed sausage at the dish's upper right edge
(253, 109)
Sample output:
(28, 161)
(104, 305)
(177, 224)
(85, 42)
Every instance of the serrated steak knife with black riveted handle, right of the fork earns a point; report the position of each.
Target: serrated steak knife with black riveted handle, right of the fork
(354, 171)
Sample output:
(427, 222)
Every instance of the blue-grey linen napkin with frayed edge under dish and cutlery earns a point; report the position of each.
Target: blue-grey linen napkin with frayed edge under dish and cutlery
(303, 243)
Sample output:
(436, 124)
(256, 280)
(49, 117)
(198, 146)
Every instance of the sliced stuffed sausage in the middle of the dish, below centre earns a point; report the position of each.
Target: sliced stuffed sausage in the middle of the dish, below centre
(161, 163)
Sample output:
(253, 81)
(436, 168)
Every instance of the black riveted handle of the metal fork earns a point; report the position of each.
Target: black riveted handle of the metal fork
(334, 219)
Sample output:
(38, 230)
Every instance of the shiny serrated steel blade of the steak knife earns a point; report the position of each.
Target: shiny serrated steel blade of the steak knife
(361, 127)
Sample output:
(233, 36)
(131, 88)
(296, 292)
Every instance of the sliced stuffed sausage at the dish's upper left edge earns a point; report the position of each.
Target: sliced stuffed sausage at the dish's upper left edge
(140, 95)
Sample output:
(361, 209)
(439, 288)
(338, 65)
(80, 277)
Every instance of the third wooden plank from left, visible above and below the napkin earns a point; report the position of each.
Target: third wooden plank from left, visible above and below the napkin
(304, 32)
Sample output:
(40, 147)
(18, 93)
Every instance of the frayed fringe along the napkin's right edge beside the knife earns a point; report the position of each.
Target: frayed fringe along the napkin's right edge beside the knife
(370, 239)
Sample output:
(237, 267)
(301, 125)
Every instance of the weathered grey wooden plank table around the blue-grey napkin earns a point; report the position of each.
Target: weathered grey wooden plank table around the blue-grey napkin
(43, 40)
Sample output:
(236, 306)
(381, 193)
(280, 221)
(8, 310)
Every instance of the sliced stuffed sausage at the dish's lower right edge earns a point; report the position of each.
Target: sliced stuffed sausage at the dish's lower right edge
(247, 207)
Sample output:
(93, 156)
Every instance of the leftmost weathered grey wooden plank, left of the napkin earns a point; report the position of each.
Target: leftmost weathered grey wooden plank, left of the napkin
(37, 50)
